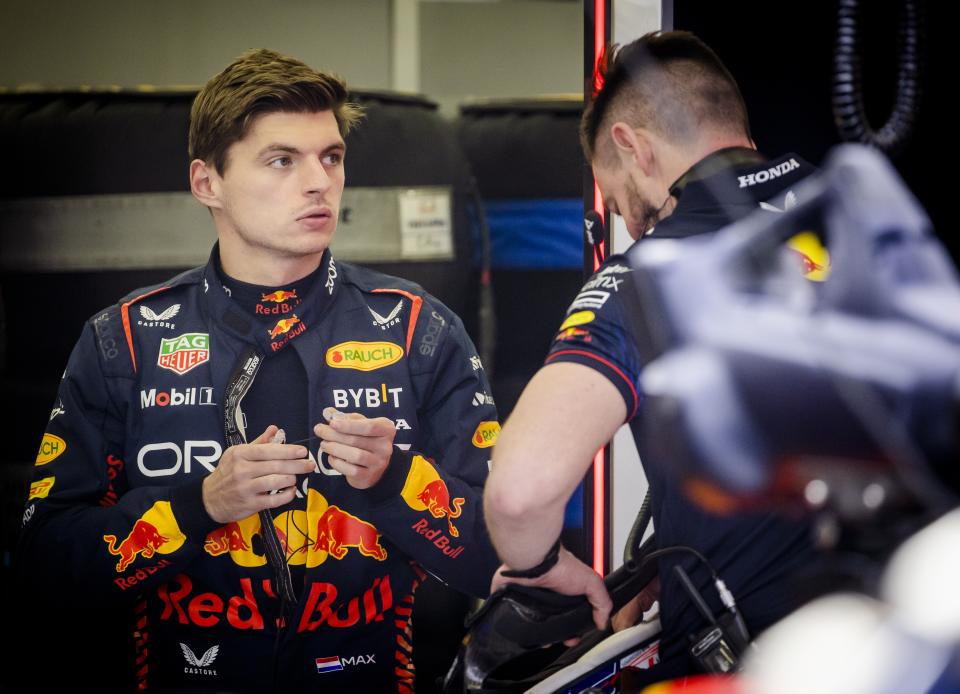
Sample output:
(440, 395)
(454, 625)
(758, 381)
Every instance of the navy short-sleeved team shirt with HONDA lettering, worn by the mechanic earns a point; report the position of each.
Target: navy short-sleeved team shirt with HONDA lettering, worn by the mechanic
(756, 554)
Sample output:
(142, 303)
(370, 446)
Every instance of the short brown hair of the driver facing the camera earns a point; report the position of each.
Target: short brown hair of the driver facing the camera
(261, 81)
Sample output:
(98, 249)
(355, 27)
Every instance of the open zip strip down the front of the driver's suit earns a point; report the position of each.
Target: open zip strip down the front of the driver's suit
(235, 428)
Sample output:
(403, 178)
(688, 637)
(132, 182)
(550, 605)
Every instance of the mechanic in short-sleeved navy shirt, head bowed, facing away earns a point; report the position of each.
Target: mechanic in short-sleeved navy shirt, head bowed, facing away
(668, 138)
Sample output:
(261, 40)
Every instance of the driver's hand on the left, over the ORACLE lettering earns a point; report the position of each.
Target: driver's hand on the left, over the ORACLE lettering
(246, 474)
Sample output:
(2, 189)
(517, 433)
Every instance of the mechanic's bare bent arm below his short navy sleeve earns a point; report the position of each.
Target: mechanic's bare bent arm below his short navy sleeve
(566, 413)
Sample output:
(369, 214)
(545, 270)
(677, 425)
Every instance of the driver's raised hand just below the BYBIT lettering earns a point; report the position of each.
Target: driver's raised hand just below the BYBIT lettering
(358, 447)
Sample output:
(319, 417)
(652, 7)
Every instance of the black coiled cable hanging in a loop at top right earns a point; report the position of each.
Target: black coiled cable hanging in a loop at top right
(848, 109)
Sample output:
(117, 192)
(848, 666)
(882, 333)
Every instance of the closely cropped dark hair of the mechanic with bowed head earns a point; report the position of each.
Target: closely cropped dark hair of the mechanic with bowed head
(670, 82)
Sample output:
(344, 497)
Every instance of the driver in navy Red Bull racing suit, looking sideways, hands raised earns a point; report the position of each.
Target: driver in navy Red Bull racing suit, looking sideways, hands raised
(165, 480)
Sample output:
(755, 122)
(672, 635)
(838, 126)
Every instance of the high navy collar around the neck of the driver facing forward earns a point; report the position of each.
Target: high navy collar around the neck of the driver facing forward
(232, 317)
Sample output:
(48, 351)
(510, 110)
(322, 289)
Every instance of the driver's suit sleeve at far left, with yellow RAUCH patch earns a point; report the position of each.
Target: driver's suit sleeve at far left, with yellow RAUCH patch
(85, 533)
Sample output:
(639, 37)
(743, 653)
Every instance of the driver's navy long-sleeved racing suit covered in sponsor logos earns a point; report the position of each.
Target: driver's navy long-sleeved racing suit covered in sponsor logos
(115, 509)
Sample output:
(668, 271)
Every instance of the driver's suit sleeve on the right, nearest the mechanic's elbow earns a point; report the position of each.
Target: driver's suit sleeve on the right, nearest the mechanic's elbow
(430, 500)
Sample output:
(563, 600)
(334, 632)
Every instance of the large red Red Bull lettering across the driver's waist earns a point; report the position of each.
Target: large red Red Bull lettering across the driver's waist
(325, 605)
